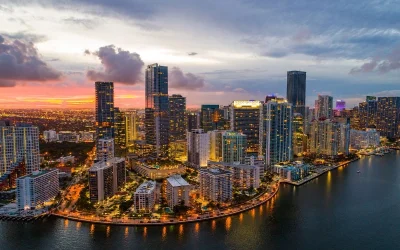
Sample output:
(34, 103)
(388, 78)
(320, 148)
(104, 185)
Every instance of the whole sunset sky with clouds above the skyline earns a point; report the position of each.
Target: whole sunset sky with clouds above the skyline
(51, 52)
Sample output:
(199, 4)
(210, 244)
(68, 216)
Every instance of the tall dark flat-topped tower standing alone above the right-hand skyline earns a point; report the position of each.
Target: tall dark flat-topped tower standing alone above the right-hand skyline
(296, 91)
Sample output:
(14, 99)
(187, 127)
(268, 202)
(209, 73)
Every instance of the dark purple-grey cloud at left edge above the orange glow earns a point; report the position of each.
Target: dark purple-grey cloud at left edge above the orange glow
(20, 61)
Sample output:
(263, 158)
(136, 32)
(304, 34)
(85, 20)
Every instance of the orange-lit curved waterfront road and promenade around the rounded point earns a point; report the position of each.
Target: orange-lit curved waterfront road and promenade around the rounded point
(216, 214)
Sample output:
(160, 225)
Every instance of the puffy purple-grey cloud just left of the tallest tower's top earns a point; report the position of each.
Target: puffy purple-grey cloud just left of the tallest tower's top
(119, 65)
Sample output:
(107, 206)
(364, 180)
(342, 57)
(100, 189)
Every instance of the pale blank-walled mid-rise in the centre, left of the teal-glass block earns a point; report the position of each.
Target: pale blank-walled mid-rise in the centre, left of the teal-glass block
(198, 148)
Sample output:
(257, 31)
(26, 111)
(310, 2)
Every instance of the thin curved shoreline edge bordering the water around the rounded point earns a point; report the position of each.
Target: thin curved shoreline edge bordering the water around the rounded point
(122, 223)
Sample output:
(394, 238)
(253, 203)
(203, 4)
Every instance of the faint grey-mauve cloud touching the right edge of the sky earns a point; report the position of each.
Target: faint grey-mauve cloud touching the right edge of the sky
(390, 63)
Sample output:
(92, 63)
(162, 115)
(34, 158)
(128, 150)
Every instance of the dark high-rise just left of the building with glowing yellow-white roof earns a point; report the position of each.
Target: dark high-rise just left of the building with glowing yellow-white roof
(211, 117)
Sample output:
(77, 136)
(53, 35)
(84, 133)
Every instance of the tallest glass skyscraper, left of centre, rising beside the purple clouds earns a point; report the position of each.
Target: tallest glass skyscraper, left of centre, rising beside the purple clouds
(157, 108)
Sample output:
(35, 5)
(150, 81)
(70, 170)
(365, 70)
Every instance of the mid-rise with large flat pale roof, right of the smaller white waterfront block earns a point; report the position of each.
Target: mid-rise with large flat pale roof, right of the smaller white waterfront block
(177, 191)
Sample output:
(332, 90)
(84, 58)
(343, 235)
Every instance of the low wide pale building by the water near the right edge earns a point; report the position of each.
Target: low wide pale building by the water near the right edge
(360, 139)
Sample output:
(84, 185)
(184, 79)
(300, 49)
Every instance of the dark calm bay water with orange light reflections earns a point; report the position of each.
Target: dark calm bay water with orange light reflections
(342, 209)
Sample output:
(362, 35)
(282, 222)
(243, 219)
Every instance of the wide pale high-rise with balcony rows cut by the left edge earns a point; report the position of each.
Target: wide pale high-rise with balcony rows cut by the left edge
(18, 144)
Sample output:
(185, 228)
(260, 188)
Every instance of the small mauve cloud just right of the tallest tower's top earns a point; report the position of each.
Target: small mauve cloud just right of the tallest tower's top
(188, 81)
